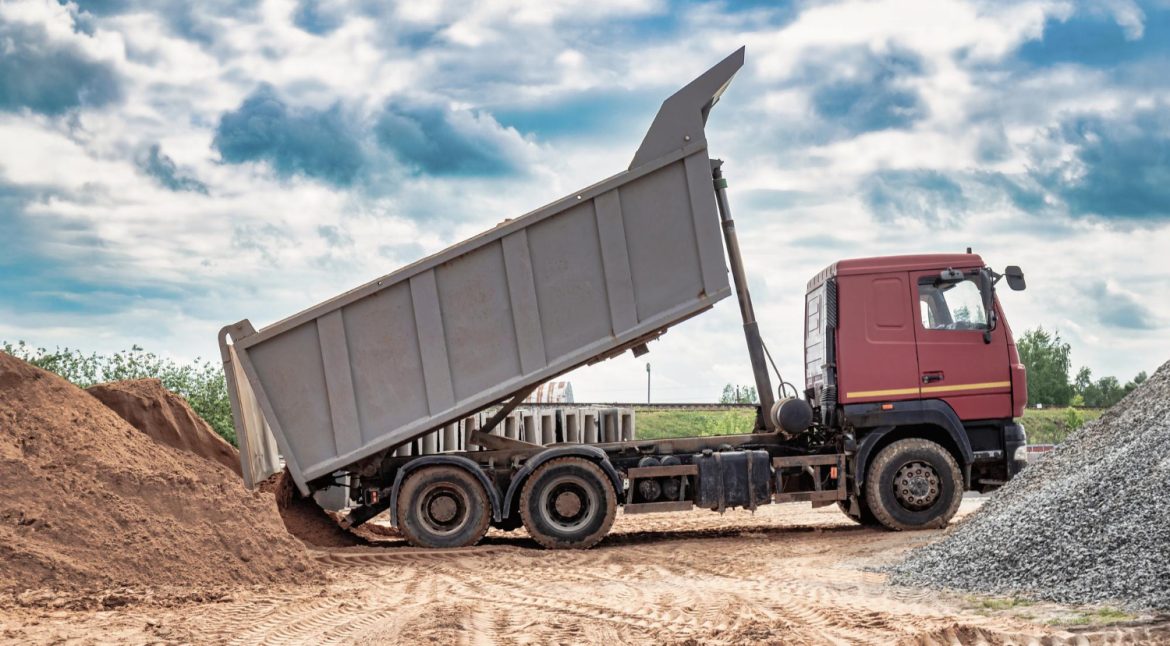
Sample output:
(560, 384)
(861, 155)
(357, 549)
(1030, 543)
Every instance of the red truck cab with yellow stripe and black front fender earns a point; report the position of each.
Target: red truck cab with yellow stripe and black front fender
(918, 347)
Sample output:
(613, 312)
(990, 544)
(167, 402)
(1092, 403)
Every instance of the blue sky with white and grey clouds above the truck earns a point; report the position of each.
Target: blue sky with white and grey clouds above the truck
(168, 168)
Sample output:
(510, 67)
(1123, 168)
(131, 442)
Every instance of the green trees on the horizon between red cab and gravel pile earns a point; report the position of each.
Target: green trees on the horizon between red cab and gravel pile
(1047, 358)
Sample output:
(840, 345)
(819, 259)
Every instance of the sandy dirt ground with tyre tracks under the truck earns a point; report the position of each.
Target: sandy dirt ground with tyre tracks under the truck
(786, 575)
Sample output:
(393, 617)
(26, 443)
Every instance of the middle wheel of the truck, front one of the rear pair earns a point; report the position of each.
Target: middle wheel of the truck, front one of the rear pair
(568, 504)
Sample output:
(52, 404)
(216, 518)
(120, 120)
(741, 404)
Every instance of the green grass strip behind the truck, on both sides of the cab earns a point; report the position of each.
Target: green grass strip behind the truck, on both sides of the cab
(1044, 427)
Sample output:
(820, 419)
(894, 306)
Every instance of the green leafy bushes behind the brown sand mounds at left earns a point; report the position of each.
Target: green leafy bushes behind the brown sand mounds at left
(201, 383)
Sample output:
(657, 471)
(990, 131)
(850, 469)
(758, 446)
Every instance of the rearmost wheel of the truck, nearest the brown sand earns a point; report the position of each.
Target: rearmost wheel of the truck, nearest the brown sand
(443, 507)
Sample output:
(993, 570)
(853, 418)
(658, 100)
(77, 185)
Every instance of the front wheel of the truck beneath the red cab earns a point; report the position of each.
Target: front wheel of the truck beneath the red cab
(914, 484)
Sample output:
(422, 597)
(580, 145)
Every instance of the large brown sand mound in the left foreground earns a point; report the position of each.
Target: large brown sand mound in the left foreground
(90, 504)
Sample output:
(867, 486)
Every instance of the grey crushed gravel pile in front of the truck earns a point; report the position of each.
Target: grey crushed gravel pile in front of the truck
(1088, 524)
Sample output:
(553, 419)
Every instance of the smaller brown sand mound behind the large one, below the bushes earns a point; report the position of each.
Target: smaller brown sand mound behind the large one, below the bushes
(167, 418)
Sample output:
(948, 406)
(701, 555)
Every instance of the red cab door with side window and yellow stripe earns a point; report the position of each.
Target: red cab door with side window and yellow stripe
(956, 363)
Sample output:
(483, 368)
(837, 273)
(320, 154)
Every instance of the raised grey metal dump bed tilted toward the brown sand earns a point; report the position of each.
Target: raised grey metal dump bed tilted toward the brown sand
(575, 281)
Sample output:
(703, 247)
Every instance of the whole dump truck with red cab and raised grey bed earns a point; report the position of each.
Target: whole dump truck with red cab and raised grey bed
(912, 382)
